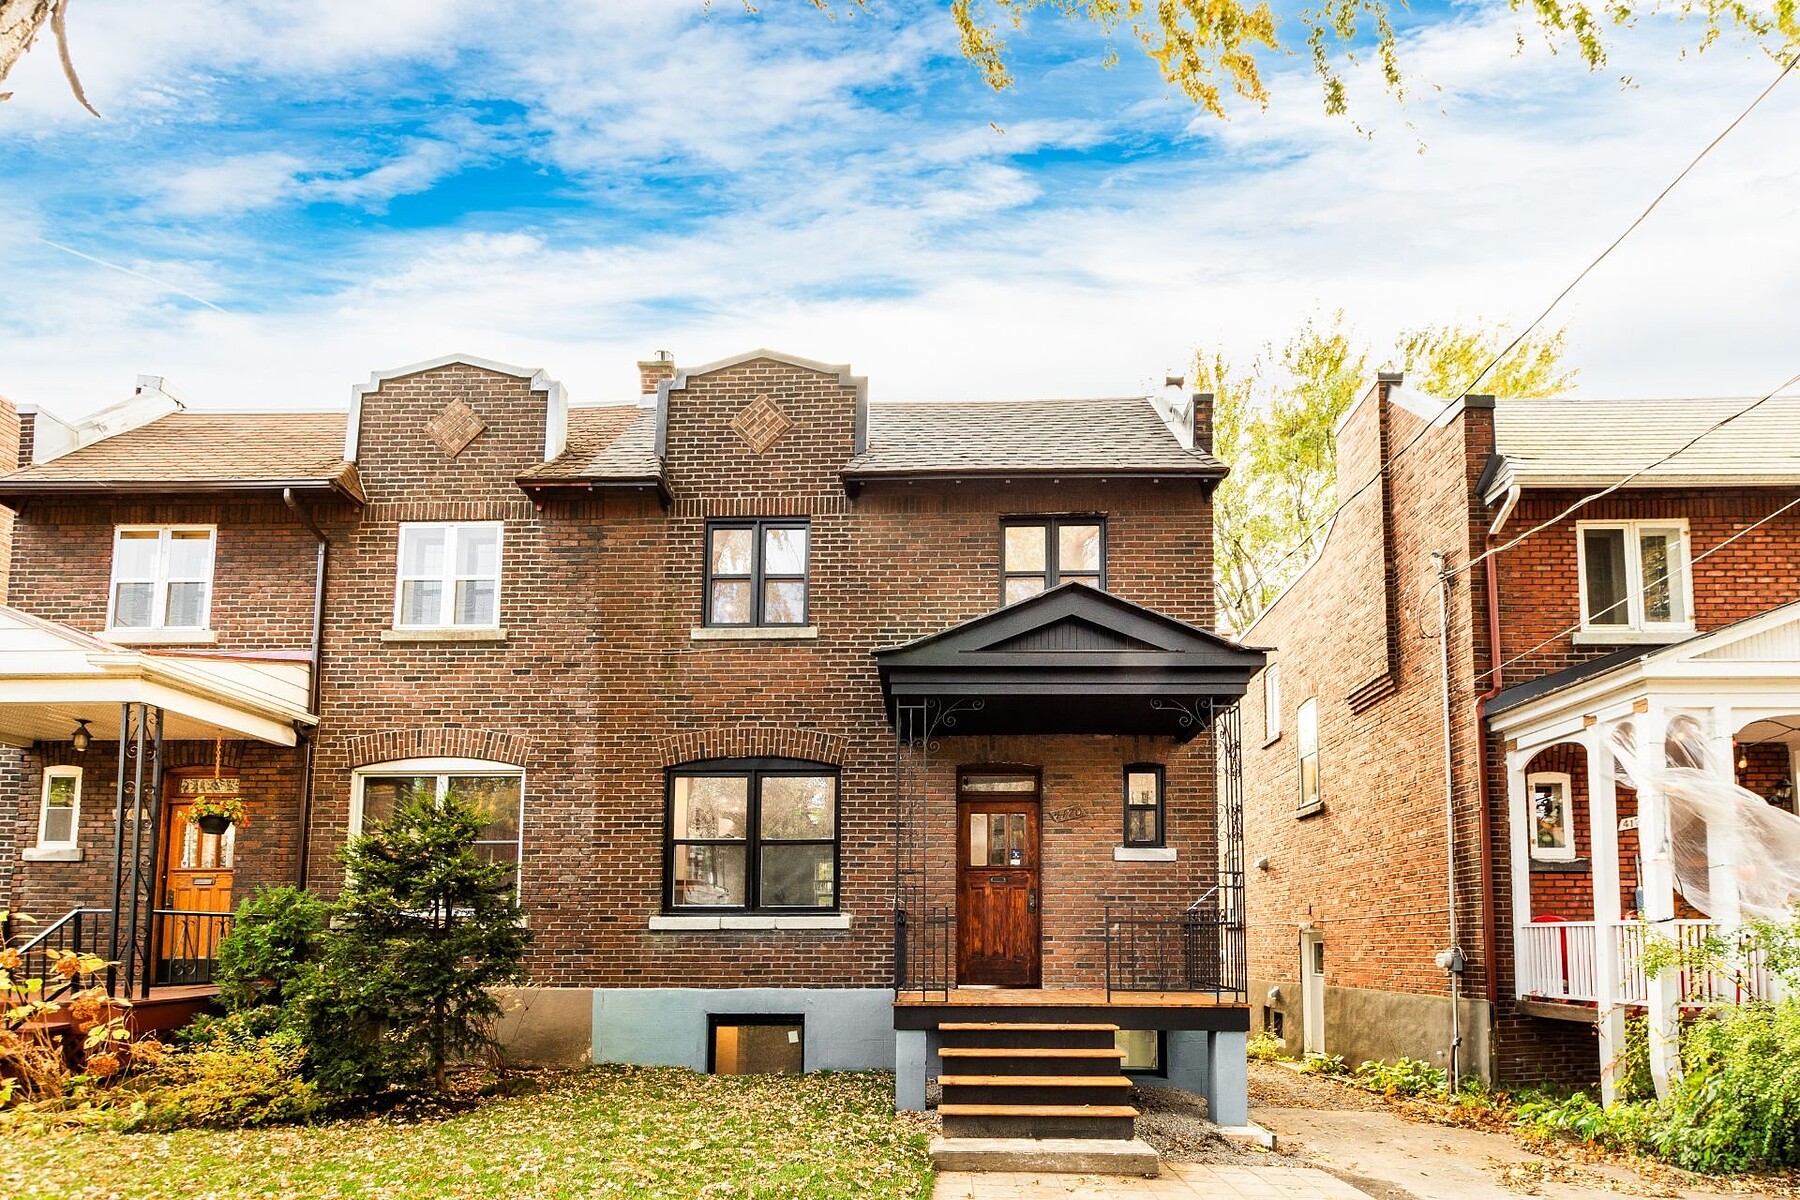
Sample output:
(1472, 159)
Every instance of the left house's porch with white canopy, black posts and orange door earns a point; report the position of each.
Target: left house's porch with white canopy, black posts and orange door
(141, 886)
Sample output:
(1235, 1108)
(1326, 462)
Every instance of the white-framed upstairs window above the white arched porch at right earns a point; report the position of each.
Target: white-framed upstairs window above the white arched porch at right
(1635, 577)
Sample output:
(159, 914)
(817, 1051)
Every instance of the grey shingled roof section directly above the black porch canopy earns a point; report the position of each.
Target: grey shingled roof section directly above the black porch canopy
(1120, 436)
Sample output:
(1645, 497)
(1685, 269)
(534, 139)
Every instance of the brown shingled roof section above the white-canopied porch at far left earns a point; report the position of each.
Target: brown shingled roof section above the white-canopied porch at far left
(202, 452)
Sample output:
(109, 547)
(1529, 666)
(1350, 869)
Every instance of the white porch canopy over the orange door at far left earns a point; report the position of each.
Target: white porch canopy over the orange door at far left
(53, 677)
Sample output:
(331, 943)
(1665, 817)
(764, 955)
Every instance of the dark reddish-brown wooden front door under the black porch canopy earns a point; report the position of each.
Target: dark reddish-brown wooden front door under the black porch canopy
(998, 915)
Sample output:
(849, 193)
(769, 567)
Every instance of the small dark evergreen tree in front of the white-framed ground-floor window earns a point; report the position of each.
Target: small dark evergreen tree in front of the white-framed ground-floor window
(426, 929)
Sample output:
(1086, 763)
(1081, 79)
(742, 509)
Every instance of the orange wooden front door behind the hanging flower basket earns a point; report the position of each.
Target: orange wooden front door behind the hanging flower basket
(197, 879)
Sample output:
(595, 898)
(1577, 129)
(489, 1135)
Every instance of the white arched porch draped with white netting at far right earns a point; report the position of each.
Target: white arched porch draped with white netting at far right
(1596, 866)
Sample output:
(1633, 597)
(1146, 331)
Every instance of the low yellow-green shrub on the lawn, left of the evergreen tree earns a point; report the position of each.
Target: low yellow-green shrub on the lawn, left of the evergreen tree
(231, 1082)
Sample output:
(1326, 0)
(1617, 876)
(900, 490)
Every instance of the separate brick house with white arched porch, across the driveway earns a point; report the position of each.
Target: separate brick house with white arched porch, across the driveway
(1432, 749)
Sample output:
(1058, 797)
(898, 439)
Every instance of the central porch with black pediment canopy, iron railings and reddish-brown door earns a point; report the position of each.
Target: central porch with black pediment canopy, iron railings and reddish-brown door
(1005, 882)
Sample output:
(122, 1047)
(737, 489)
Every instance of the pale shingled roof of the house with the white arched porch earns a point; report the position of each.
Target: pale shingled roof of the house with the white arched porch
(1579, 442)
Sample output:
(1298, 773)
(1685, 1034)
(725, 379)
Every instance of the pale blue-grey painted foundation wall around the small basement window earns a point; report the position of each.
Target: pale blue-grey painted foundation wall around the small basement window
(847, 1028)
